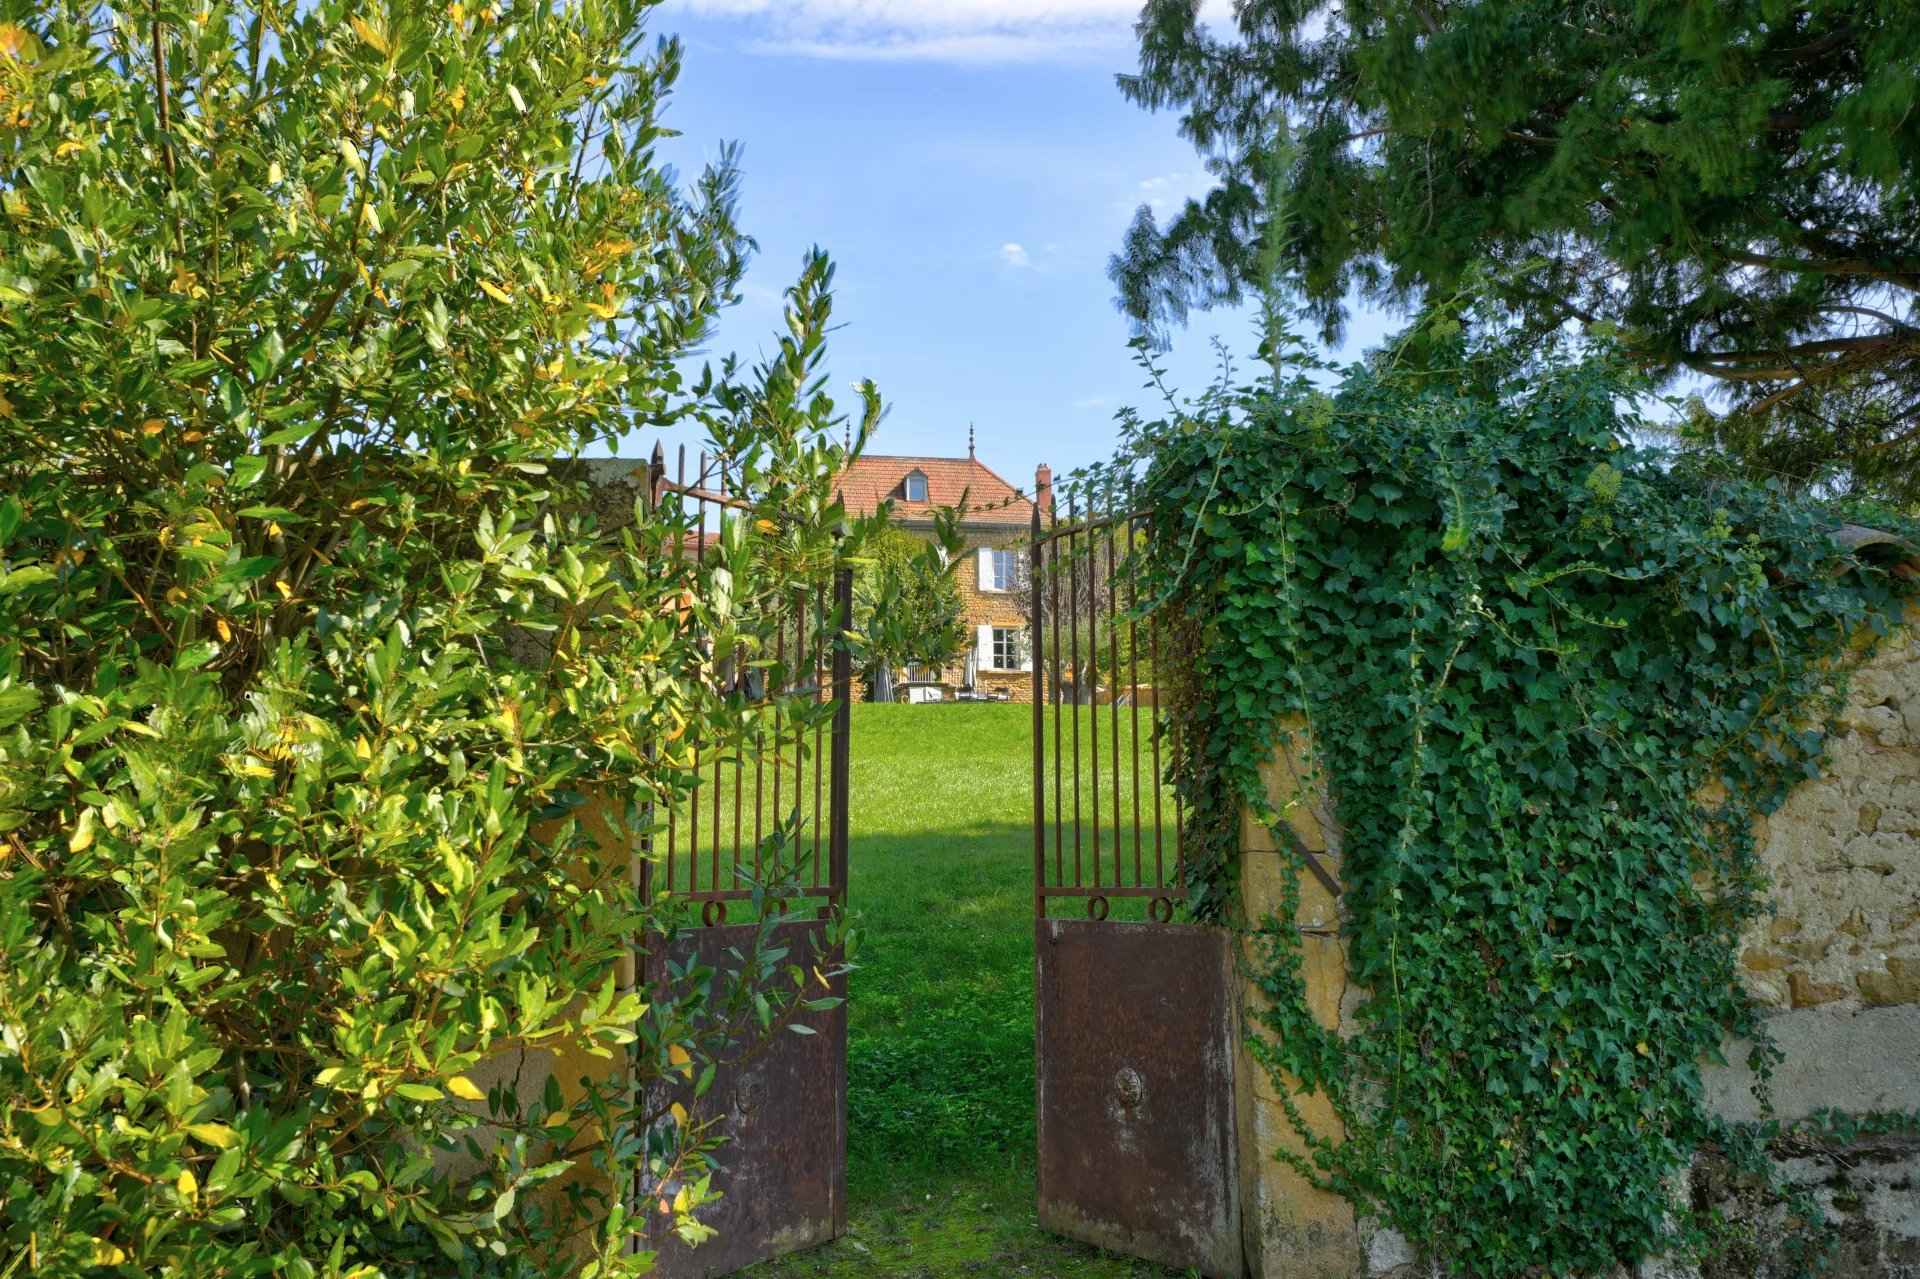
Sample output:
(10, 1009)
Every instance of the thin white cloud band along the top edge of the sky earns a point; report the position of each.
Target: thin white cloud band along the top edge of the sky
(938, 30)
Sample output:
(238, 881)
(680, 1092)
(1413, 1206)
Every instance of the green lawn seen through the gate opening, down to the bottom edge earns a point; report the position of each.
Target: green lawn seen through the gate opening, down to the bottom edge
(942, 1005)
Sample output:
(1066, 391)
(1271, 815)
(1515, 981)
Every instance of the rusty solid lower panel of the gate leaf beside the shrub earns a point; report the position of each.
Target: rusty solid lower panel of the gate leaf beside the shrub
(782, 1174)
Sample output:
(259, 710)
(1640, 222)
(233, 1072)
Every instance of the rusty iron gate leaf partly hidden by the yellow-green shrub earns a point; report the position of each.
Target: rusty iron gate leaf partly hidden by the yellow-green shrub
(784, 1109)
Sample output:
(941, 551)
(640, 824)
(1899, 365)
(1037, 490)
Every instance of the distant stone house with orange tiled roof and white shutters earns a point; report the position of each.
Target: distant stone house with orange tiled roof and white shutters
(999, 656)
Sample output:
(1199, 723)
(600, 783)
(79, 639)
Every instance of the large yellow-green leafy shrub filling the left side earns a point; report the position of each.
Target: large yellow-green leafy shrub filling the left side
(327, 712)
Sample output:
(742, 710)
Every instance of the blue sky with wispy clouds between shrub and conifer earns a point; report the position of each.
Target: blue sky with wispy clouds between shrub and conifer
(971, 166)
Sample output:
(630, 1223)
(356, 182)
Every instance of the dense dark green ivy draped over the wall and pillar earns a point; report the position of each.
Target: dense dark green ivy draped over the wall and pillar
(1548, 679)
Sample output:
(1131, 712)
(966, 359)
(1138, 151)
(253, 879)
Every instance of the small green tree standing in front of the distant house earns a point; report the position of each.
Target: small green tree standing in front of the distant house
(907, 604)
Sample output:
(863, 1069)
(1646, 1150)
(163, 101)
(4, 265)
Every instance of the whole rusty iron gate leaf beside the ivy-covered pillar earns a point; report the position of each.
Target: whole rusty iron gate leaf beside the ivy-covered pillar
(1134, 1011)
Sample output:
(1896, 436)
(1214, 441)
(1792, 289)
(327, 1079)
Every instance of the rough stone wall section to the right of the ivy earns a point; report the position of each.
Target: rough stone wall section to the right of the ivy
(1840, 965)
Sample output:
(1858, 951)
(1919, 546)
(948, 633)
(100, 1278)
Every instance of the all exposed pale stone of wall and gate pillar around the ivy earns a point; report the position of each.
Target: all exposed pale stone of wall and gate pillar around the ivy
(1838, 961)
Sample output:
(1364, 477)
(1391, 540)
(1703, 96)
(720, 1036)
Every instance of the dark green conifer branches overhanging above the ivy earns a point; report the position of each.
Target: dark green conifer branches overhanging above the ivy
(1727, 185)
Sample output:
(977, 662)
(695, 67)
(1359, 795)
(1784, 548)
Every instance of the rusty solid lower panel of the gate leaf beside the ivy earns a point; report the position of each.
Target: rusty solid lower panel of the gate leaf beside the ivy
(1134, 1042)
